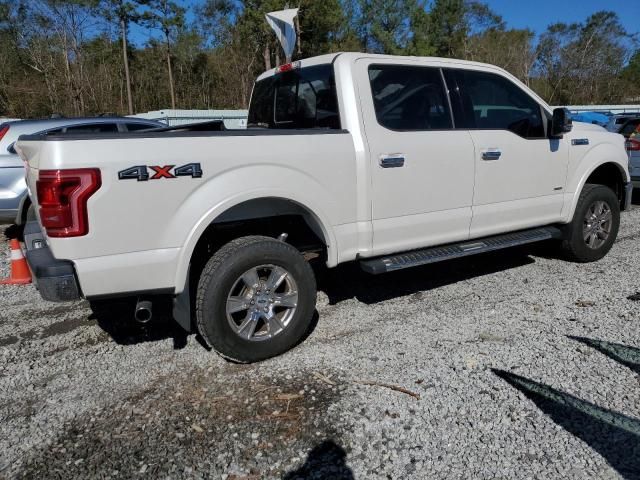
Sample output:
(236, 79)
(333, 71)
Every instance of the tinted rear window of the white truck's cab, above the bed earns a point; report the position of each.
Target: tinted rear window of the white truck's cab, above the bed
(301, 98)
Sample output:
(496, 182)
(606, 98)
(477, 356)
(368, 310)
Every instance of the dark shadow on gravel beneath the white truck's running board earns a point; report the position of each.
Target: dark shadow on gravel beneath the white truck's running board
(349, 281)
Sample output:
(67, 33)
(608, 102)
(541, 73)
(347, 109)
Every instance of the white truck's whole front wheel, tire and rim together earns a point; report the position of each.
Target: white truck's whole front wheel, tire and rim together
(594, 228)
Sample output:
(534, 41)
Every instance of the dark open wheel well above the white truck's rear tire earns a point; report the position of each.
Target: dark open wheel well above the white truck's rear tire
(265, 216)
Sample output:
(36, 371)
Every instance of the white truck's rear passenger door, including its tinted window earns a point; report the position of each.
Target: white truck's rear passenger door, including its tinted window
(422, 169)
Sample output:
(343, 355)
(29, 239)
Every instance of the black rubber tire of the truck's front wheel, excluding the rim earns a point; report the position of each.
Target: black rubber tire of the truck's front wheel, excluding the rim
(574, 244)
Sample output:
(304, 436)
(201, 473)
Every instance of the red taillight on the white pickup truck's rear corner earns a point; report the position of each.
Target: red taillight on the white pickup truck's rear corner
(62, 196)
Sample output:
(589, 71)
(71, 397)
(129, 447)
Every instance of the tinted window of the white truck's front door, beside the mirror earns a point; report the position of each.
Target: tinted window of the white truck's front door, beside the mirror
(488, 101)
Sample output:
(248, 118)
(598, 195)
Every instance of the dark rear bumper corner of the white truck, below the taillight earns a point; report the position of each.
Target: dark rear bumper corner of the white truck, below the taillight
(55, 279)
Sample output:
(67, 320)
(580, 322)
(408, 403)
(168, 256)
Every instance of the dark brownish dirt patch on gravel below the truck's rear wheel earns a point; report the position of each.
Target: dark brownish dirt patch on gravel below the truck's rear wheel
(203, 424)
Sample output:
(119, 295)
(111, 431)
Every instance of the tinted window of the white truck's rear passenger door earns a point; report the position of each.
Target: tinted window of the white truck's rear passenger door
(409, 98)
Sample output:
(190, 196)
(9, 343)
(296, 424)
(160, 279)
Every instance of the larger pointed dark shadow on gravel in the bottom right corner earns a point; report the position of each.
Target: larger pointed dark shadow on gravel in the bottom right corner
(616, 437)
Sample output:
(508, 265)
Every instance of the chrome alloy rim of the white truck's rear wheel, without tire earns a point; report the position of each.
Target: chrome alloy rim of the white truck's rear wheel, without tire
(262, 302)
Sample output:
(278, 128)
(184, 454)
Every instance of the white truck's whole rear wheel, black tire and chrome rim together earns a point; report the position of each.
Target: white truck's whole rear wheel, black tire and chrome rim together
(256, 298)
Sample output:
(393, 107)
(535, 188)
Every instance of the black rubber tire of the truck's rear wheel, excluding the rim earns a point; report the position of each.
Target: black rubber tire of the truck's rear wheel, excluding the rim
(219, 277)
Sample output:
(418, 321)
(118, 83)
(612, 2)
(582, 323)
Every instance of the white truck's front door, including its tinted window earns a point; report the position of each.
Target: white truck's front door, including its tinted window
(520, 173)
